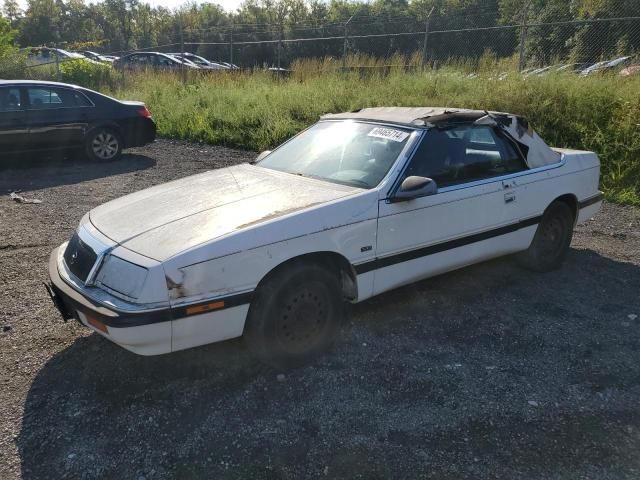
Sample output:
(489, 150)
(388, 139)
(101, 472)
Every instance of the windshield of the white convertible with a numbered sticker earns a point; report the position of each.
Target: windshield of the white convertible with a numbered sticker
(347, 152)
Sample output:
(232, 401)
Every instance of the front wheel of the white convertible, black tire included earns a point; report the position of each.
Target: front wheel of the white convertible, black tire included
(295, 315)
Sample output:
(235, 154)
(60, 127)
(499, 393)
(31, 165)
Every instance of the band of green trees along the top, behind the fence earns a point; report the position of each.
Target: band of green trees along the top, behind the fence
(122, 25)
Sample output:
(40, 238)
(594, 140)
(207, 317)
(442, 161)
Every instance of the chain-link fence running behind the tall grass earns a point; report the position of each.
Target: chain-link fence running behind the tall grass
(409, 42)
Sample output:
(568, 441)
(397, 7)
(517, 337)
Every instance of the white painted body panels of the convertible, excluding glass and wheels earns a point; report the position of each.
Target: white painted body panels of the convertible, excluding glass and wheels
(198, 247)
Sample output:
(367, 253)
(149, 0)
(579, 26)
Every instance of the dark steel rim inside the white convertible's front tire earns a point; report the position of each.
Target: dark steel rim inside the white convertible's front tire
(302, 319)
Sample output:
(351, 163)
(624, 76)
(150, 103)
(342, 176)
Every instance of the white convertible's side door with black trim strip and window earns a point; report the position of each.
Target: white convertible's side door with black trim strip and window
(473, 216)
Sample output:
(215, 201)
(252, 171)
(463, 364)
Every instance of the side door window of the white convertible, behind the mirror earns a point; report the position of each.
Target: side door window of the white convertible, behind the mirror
(464, 154)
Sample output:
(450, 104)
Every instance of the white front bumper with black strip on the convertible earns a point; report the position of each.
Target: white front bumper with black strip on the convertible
(143, 332)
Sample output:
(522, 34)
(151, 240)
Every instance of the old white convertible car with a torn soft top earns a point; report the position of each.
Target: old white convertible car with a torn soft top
(358, 204)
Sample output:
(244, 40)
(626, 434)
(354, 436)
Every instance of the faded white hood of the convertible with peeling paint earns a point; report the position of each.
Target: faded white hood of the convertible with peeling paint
(167, 219)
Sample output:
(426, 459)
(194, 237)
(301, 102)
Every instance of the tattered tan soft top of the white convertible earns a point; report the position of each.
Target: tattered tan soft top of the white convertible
(538, 153)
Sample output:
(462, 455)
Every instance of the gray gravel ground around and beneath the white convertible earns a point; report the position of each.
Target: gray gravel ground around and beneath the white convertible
(487, 372)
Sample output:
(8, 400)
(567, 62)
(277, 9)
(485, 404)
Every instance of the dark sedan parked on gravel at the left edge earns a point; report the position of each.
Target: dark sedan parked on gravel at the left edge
(47, 116)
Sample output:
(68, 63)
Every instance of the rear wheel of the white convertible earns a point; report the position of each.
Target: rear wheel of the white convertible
(551, 242)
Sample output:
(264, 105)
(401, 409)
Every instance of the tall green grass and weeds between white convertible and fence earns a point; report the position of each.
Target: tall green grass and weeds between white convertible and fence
(257, 111)
